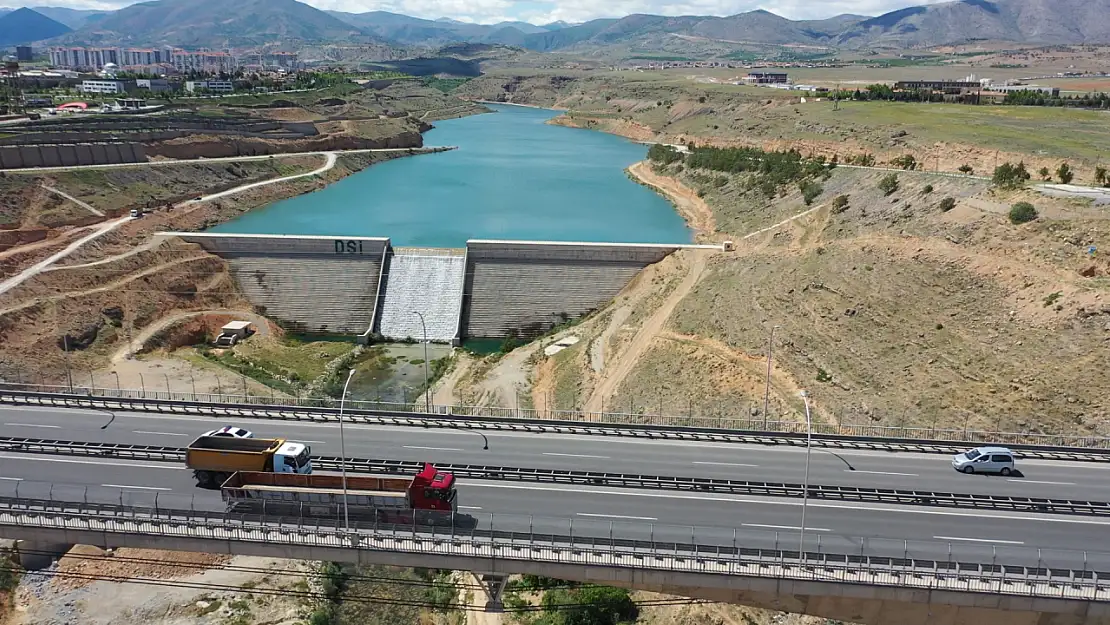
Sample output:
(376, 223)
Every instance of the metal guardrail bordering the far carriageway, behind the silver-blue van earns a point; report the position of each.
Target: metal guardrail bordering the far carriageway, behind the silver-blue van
(329, 415)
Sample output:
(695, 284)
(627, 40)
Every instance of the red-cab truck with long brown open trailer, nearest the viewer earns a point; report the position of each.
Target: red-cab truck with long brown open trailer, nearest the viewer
(429, 498)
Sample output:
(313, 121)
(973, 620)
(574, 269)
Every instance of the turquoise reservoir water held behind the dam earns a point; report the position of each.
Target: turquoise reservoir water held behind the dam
(513, 177)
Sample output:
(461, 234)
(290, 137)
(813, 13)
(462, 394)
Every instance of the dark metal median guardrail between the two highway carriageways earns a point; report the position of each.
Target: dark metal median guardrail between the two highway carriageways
(603, 479)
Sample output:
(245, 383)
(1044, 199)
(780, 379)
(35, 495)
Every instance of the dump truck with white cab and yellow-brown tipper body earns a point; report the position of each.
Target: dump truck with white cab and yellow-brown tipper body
(215, 459)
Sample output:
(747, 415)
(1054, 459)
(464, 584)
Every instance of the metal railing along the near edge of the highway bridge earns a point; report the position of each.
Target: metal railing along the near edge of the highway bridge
(488, 548)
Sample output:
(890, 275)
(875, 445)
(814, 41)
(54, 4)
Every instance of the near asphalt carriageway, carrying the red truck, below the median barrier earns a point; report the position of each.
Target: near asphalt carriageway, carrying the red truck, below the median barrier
(756, 522)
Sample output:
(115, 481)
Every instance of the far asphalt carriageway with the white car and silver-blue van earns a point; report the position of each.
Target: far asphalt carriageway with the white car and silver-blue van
(884, 470)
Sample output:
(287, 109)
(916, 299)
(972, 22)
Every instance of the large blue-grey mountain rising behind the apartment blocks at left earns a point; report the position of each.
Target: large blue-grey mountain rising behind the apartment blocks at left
(217, 24)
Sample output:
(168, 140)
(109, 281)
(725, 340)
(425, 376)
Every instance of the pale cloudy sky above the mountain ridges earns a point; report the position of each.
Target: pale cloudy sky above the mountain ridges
(546, 12)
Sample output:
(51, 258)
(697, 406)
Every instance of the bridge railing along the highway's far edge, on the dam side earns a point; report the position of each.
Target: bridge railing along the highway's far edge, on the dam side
(277, 407)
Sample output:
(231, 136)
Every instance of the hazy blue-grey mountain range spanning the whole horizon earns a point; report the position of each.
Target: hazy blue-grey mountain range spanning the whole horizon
(289, 23)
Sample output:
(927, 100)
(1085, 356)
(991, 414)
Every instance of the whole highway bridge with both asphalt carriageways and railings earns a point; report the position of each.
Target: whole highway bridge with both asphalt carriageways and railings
(995, 539)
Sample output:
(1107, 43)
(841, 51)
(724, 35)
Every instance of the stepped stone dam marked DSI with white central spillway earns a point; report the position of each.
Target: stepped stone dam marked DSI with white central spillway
(367, 287)
